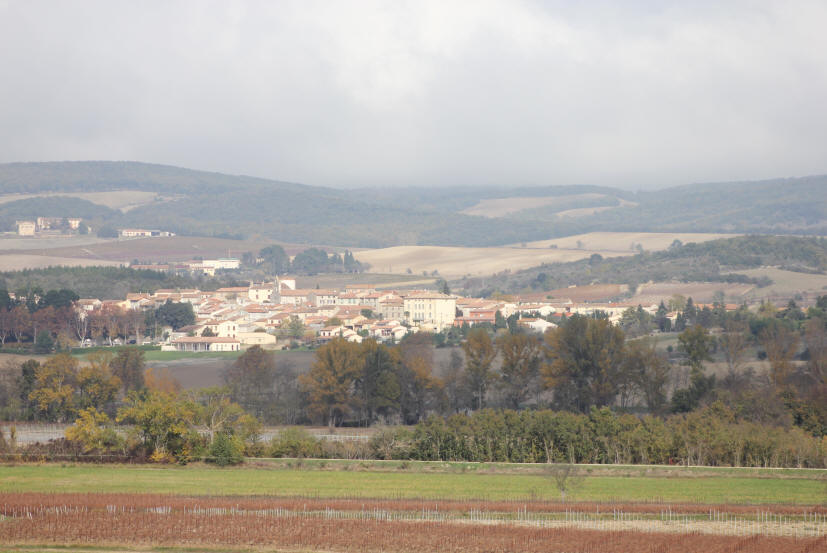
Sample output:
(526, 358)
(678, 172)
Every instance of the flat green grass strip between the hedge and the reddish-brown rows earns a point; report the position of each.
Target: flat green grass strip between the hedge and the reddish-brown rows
(725, 487)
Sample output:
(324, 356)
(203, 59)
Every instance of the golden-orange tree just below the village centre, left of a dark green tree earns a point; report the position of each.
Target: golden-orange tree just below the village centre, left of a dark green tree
(330, 383)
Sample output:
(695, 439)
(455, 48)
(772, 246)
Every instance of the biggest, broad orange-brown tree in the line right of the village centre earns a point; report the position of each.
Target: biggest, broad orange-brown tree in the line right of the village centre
(584, 360)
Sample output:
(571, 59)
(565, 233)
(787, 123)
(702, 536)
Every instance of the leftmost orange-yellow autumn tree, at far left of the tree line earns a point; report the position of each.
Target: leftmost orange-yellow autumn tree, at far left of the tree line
(54, 388)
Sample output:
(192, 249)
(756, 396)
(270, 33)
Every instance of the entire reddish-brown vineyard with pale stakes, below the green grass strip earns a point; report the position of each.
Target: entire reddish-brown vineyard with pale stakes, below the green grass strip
(135, 520)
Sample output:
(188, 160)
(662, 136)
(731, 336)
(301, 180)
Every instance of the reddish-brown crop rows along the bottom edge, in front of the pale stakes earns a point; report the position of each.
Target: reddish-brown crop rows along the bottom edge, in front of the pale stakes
(194, 528)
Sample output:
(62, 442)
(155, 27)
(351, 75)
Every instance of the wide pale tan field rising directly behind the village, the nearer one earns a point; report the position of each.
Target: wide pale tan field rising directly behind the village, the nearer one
(456, 262)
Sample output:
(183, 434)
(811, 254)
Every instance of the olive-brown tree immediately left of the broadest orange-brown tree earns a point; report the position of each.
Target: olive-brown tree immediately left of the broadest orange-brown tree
(521, 358)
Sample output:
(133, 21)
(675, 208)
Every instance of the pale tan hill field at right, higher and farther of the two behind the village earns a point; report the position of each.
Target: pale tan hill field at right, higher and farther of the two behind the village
(625, 242)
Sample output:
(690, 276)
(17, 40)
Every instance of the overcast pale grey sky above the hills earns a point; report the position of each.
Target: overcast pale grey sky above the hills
(357, 93)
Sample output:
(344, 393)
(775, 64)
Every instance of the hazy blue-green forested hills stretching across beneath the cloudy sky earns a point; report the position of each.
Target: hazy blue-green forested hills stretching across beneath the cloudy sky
(213, 204)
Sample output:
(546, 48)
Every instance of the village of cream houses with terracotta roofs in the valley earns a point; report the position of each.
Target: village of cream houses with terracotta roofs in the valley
(278, 315)
